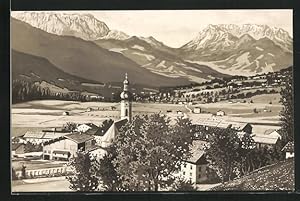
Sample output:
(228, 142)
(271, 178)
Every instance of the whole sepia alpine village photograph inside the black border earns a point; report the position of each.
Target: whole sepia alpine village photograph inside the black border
(152, 101)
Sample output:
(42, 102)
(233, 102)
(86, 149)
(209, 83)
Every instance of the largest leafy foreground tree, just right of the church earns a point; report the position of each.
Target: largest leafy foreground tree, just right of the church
(149, 150)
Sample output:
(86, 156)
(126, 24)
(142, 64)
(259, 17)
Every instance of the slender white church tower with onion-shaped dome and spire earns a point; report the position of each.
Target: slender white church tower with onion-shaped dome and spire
(126, 98)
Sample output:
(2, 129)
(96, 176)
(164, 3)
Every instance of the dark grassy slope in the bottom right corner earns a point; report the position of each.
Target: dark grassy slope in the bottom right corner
(277, 177)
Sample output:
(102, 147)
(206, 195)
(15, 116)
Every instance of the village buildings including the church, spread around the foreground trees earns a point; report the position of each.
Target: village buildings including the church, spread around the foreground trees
(45, 153)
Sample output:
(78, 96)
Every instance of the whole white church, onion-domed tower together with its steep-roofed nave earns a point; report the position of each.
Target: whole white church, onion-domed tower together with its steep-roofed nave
(126, 115)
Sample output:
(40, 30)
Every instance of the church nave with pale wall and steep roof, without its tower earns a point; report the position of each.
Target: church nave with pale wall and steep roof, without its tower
(108, 138)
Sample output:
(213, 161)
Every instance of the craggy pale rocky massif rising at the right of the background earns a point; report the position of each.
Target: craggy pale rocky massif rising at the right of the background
(241, 50)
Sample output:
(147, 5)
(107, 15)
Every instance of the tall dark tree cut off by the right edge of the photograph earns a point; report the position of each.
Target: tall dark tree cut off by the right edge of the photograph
(287, 112)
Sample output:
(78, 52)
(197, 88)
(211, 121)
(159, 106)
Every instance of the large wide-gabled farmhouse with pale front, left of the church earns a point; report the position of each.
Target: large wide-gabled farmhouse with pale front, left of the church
(64, 147)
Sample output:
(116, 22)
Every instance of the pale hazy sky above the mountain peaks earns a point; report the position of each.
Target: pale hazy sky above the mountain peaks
(177, 27)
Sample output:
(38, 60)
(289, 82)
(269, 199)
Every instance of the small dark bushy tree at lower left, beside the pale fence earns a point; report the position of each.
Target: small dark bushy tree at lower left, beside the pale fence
(84, 173)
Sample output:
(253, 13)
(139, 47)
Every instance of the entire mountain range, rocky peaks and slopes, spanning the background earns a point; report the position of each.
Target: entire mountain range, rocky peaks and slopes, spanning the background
(73, 42)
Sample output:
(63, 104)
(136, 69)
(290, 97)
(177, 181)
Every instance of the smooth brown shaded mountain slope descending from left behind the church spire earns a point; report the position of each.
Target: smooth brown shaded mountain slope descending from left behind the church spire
(72, 55)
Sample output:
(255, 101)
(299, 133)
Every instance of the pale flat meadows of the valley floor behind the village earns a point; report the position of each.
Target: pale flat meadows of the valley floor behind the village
(38, 115)
